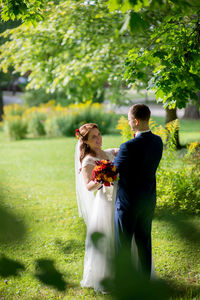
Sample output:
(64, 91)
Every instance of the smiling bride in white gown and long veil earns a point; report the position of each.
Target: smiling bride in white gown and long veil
(96, 205)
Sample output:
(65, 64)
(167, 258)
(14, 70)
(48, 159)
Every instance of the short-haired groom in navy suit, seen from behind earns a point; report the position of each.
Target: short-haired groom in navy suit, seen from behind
(137, 162)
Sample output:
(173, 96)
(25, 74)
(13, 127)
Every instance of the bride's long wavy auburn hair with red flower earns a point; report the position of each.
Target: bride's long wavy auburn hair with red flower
(84, 131)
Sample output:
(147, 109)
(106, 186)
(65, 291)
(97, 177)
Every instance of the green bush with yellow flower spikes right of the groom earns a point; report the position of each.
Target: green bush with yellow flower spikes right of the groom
(179, 184)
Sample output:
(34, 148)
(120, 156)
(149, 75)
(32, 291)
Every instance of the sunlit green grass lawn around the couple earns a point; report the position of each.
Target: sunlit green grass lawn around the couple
(38, 190)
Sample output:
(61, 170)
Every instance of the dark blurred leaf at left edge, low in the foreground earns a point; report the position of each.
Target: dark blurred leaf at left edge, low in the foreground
(9, 267)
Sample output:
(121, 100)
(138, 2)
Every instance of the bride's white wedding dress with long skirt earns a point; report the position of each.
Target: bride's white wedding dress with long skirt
(97, 209)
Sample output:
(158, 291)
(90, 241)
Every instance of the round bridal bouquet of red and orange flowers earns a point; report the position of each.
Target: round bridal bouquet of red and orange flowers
(105, 172)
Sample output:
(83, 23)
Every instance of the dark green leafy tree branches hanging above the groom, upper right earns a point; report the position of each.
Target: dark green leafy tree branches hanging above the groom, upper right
(171, 58)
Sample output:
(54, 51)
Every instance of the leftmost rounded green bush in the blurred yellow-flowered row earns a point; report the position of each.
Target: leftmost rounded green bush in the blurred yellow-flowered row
(15, 127)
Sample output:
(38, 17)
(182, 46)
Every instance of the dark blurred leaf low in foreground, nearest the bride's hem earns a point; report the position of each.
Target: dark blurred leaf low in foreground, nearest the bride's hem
(47, 274)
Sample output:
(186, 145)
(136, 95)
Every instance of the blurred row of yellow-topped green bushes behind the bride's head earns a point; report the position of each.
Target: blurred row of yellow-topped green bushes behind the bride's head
(55, 120)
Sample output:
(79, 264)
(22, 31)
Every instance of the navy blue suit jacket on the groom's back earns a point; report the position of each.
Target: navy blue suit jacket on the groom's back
(136, 163)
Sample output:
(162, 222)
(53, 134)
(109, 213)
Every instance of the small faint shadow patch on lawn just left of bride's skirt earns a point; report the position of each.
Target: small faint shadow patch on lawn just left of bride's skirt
(70, 246)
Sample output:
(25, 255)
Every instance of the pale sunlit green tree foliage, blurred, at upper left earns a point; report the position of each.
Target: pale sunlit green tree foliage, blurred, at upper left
(76, 49)
